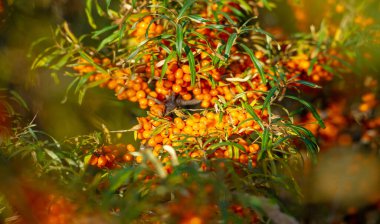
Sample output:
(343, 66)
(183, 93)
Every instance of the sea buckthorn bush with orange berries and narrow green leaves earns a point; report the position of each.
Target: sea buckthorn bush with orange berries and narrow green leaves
(230, 111)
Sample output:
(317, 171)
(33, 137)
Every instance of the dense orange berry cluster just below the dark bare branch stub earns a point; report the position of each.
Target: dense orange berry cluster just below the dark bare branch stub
(190, 132)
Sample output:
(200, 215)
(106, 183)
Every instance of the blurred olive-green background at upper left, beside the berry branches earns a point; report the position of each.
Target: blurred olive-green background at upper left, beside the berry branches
(22, 23)
